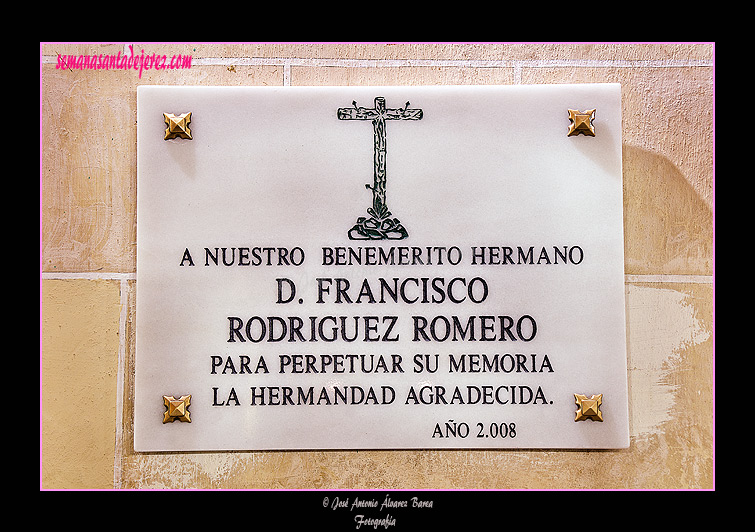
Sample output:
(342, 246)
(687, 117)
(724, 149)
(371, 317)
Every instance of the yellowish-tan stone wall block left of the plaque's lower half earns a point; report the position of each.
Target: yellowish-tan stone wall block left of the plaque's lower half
(78, 379)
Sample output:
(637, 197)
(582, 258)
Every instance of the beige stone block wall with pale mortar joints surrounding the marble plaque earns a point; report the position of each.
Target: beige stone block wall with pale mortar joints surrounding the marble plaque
(88, 265)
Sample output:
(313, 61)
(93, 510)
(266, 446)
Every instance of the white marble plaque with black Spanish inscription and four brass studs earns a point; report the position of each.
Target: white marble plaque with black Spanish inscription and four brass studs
(380, 268)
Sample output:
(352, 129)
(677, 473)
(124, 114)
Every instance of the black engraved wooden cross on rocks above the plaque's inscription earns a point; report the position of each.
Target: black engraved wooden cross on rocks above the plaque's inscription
(380, 225)
